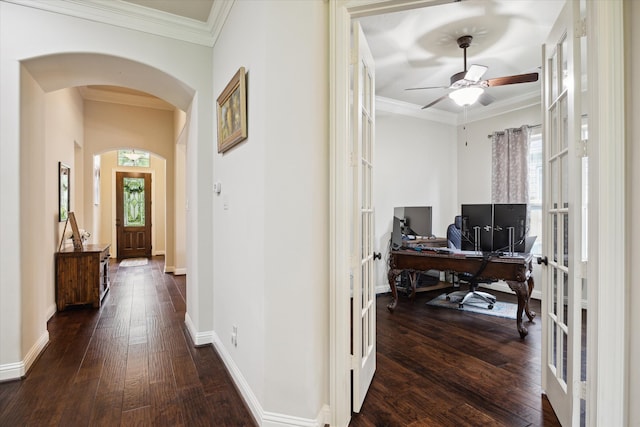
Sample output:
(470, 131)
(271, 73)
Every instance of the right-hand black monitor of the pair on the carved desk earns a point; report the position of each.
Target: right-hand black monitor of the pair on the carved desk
(509, 218)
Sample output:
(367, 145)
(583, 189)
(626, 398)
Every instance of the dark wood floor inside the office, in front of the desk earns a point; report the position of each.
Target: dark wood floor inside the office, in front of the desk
(443, 367)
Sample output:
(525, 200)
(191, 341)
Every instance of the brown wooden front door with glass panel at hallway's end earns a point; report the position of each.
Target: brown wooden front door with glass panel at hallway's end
(133, 214)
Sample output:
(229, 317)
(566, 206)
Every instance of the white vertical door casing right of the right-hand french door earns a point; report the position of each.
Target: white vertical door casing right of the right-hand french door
(607, 323)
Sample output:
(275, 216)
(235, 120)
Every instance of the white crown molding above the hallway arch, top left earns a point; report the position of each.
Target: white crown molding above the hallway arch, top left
(140, 18)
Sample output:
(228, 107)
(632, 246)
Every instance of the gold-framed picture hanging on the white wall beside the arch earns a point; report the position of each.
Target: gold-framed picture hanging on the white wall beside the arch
(232, 112)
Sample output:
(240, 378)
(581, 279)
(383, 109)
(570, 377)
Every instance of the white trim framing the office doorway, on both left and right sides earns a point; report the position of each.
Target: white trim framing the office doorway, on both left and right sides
(606, 107)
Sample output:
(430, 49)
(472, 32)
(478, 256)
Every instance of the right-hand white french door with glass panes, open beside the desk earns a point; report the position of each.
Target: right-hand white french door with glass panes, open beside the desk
(562, 278)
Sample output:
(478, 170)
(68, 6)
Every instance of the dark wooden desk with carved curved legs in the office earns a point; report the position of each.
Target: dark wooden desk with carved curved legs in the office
(515, 270)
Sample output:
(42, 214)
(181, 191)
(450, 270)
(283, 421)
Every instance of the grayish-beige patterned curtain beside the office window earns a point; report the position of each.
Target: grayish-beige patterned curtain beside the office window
(509, 162)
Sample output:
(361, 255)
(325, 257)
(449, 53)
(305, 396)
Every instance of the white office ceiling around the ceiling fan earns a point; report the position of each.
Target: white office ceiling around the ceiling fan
(418, 48)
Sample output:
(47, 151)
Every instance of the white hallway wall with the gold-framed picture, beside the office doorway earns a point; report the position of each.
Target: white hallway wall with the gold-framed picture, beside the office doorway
(270, 221)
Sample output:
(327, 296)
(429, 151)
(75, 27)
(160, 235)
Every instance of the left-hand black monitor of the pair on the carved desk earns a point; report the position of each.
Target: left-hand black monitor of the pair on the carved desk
(477, 228)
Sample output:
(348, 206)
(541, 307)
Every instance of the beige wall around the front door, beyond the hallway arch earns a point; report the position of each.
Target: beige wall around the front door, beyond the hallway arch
(111, 126)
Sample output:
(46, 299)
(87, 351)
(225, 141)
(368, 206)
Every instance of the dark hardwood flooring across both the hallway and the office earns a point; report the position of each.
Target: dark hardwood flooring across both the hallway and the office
(132, 363)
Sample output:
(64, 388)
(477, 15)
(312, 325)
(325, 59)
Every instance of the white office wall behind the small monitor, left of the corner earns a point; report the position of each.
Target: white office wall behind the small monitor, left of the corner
(415, 165)
